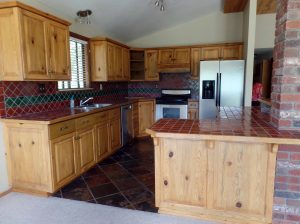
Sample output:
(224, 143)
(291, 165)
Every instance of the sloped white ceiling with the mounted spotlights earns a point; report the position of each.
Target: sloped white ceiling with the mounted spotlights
(127, 20)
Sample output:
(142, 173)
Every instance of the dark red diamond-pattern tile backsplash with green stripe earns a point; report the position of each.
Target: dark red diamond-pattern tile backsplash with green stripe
(17, 98)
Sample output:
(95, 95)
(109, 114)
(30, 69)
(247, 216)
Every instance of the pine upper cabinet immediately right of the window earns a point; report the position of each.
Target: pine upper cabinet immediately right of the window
(109, 60)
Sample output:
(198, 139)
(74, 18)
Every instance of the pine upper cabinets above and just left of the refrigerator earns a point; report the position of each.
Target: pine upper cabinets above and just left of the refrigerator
(218, 52)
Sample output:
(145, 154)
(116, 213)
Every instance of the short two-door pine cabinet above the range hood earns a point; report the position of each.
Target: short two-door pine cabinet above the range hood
(174, 60)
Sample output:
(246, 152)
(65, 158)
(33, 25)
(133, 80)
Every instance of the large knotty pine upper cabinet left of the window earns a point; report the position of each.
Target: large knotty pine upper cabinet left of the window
(34, 45)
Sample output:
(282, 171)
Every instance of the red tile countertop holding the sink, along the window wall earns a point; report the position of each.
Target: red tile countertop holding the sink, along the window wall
(51, 117)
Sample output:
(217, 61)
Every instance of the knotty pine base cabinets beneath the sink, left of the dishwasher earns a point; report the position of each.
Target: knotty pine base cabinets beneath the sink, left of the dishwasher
(44, 157)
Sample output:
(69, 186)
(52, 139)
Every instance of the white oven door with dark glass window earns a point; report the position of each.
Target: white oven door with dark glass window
(171, 111)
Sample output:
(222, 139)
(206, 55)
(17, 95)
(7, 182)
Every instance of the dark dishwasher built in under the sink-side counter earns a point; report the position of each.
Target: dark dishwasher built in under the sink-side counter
(127, 124)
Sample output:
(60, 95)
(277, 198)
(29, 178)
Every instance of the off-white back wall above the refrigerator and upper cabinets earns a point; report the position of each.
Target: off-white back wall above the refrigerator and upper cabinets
(214, 28)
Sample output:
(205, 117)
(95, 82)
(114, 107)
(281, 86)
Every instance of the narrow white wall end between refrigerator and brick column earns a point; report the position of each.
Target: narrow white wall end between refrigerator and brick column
(249, 45)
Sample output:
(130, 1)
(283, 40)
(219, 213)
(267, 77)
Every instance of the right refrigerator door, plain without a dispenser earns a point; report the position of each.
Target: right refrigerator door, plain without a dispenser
(232, 83)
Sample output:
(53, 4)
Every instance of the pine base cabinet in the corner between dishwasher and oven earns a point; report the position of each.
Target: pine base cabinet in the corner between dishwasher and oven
(143, 117)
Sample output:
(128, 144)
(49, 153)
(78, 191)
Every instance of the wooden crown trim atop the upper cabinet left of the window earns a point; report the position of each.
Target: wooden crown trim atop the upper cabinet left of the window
(33, 10)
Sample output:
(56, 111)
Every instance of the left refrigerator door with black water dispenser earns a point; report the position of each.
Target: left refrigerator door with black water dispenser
(208, 89)
